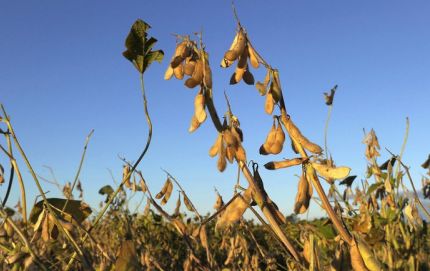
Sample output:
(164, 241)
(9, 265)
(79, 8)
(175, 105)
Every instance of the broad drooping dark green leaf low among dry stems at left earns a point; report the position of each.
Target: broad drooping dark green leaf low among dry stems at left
(75, 208)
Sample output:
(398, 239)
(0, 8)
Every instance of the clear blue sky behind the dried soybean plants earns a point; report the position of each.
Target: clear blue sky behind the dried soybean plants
(62, 74)
